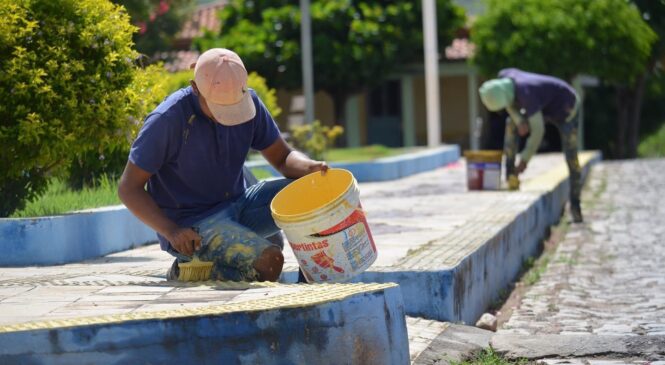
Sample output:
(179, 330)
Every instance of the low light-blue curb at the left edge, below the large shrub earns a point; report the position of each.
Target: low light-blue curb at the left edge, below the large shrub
(71, 237)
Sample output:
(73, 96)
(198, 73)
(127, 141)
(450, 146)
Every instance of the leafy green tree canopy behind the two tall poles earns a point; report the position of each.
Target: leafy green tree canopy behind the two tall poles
(355, 44)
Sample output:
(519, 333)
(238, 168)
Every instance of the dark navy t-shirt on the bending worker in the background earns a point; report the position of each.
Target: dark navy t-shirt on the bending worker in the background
(534, 92)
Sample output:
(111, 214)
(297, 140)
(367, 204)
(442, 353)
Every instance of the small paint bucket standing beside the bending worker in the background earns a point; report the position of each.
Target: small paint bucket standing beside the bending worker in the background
(483, 169)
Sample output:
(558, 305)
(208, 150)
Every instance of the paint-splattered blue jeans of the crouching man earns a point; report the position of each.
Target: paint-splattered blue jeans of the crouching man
(233, 238)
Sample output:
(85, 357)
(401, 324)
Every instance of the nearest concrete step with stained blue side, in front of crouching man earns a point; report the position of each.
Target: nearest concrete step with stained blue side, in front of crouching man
(215, 322)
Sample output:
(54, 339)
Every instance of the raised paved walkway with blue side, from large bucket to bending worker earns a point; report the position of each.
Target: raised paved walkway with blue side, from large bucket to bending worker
(452, 251)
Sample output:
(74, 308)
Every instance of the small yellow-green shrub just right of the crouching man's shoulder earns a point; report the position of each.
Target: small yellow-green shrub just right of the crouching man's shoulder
(315, 139)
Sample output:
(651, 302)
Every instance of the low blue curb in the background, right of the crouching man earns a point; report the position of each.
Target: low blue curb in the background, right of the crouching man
(389, 168)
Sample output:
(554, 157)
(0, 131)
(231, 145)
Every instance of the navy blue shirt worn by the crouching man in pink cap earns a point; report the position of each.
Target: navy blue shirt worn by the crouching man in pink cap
(196, 162)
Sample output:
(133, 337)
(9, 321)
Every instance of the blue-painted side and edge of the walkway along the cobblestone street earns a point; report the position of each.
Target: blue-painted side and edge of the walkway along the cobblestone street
(462, 292)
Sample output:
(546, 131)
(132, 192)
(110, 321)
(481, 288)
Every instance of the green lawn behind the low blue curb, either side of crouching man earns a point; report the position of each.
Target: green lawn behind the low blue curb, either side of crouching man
(59, 199)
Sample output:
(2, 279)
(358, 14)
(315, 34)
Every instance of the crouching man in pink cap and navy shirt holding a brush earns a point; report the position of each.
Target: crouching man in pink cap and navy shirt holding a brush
(190, 152)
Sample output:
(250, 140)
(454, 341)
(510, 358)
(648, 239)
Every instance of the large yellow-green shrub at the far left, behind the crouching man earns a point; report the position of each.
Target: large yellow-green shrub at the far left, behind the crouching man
(65, 72)
